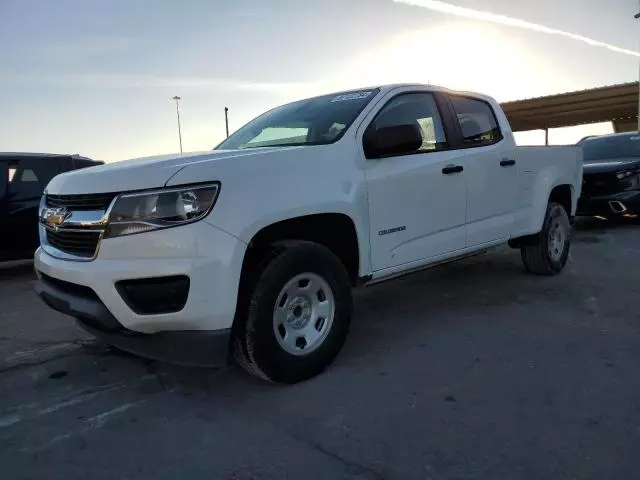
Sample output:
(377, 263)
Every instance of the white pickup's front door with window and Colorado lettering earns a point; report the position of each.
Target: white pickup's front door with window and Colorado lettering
(417, 201)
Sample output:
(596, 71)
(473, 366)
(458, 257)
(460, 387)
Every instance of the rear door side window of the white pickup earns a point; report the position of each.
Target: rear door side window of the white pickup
(477, 121)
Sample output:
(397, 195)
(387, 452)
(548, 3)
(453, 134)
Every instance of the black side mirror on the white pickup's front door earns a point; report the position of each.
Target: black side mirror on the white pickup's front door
(393, 140)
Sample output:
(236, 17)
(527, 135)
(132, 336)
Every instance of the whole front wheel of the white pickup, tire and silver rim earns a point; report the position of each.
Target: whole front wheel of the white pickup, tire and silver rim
(298, 316)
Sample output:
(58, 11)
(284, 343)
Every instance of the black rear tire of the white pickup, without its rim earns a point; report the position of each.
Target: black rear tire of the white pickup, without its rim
(537, 257)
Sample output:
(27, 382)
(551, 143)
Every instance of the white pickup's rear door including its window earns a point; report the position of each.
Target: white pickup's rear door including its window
(490, 169)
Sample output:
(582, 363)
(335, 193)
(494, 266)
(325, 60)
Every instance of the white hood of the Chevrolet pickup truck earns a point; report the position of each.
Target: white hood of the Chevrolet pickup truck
(141, 173)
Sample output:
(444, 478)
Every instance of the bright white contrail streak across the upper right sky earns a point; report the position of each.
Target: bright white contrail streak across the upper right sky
(443, 7)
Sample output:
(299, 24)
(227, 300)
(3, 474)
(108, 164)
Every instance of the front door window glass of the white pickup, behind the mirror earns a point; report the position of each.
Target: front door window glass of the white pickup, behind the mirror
(415, 109)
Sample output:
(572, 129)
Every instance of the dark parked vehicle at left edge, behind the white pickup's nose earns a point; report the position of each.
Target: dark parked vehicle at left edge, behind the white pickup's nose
(23, 178)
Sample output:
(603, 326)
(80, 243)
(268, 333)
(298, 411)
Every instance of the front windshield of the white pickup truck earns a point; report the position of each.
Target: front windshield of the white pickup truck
(315, 121)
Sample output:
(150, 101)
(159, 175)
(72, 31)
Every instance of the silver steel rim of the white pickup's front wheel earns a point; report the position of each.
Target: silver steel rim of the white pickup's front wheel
(303, 314)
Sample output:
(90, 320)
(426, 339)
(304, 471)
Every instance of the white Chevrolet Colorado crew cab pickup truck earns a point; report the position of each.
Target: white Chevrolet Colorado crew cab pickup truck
(253, 248)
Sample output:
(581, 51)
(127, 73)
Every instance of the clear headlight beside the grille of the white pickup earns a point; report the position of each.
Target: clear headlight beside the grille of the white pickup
(152, 210)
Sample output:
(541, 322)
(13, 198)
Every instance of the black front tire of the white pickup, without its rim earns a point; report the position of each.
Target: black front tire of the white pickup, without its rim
(256, 348)
